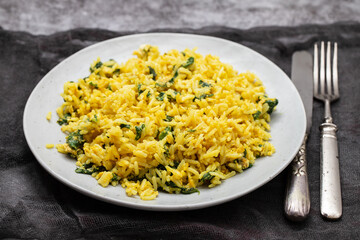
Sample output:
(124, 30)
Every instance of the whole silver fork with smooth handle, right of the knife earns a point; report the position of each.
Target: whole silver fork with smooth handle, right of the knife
(326, 89)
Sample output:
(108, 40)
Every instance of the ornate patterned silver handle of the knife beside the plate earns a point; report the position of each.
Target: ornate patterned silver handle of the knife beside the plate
(297, 200)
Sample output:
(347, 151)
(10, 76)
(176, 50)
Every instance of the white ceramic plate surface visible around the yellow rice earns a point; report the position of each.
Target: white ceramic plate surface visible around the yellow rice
(287, 125)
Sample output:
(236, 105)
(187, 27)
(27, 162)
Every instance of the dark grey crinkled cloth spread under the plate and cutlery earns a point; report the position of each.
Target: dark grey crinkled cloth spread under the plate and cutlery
(35, 205)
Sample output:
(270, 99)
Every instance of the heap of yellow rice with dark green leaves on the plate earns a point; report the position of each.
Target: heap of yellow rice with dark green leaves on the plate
(169, 122)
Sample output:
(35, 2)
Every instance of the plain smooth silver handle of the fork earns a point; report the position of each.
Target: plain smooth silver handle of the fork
(330, 189)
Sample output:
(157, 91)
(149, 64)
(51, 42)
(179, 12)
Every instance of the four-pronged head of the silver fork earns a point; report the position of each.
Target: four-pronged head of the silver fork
(328, 82)
